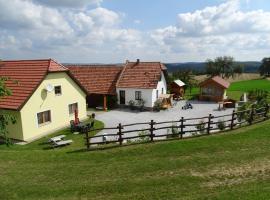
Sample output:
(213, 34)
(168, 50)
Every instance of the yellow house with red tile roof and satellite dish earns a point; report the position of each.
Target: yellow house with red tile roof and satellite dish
(44, 97)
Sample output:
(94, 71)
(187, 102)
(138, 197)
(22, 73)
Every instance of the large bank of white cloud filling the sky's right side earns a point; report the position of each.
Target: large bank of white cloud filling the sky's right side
(214, 31)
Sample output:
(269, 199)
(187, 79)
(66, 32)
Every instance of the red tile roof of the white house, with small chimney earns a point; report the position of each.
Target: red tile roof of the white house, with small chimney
(144, 75)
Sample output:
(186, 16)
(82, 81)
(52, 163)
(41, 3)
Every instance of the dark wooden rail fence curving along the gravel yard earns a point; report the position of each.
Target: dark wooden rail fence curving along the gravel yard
(183, 126)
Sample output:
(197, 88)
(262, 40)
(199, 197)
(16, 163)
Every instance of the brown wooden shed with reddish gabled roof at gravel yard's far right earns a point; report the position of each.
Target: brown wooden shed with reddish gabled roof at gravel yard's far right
(213, 89)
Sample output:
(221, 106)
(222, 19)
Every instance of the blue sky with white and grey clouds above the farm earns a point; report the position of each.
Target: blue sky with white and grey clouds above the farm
(112, 31)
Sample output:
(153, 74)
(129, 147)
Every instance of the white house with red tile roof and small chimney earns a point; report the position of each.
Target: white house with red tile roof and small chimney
(141, 81)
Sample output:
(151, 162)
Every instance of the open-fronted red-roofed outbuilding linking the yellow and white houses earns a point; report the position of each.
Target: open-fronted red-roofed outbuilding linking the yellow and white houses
(100, 83)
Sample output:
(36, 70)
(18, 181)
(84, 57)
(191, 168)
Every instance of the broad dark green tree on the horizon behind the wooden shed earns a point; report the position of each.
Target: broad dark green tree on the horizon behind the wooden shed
(223, 66)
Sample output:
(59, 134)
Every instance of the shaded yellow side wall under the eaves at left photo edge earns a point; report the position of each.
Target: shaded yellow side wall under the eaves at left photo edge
(14, 130)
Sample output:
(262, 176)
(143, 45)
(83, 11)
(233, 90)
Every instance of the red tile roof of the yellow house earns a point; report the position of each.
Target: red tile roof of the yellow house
(25, 76)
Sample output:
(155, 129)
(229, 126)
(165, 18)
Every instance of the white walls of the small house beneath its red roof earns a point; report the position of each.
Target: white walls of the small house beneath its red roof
(148, 95)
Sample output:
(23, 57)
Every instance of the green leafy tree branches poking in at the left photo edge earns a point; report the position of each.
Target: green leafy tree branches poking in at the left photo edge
(5, 118)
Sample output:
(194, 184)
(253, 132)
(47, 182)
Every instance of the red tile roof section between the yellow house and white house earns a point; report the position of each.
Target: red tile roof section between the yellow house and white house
(97, 79)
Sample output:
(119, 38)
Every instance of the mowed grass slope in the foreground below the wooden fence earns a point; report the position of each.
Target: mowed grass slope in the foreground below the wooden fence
(233, 165)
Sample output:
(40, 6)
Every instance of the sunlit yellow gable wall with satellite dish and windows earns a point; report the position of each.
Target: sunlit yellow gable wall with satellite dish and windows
(42, 100)
